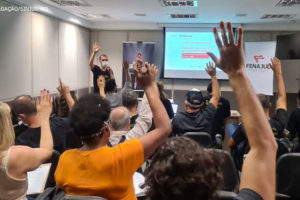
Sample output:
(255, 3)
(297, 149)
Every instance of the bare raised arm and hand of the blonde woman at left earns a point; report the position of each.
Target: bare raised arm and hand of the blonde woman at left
(27, 159)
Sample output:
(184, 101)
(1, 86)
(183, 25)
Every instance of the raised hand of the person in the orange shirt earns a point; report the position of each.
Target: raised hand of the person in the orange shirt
(145, 75)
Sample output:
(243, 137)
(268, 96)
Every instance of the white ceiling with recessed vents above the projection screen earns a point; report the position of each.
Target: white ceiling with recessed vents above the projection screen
(208, 11)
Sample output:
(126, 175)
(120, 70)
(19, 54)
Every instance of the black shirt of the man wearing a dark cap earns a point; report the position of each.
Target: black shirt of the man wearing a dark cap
(193, 122)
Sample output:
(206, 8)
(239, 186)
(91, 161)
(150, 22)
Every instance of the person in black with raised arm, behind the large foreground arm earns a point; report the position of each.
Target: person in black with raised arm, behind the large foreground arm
(278, 122)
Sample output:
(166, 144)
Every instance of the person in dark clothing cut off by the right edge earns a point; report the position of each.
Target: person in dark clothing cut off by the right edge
(294, 124)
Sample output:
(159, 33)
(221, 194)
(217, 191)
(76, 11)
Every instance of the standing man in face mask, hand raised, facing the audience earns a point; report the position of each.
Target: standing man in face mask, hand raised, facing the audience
(102, 70)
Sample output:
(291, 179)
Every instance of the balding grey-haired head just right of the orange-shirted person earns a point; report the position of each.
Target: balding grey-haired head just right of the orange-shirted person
(120, 119)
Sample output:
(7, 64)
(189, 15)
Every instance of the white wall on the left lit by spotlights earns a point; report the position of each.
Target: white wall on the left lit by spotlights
(36, 50)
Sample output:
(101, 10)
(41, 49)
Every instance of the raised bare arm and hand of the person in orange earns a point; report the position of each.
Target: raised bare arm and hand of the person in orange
(146, 79)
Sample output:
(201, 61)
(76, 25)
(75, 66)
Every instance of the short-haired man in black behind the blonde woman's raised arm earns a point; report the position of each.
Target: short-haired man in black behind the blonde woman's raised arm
(24, 107)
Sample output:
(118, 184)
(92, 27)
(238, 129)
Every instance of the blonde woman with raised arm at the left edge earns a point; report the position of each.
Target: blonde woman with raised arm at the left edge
(16, 161)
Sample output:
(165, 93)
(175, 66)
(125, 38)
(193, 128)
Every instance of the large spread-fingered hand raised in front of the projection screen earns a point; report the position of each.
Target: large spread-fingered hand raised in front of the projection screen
(232, 54)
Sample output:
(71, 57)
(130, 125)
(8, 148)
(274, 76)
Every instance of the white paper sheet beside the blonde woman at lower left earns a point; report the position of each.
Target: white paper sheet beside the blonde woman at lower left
(37, 179)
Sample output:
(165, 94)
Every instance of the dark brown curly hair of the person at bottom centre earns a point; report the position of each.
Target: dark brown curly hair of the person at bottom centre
(181, 169)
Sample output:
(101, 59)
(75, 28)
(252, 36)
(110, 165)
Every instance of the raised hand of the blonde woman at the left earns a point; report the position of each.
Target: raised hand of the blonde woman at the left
(44, 105)
